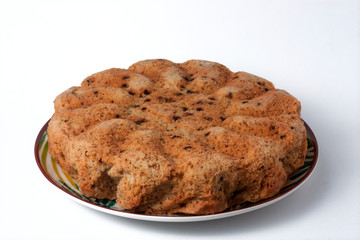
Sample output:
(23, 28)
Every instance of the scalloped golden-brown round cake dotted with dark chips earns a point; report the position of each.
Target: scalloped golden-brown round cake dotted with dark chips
(167, 138)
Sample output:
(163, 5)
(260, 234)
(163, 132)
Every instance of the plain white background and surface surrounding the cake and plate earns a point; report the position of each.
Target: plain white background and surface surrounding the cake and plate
(309, 48)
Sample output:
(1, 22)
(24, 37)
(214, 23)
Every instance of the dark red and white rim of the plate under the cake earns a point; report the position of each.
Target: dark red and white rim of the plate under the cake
(164, 218)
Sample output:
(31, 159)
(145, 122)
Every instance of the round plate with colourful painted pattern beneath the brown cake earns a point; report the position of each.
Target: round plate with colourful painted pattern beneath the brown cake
(62, 181)
